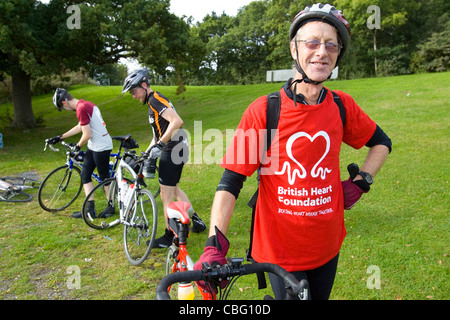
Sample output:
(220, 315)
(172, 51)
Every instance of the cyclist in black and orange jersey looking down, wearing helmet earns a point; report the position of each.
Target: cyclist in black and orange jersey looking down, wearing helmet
(169, 143)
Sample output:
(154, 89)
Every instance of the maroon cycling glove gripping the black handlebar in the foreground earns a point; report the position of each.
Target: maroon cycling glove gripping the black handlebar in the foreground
(216, 249)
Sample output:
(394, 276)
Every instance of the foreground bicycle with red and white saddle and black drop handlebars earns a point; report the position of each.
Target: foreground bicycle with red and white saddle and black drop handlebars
(180, 267)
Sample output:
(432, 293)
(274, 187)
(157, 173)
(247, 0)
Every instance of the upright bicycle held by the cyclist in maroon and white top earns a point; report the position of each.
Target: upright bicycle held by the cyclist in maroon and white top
(63, 185)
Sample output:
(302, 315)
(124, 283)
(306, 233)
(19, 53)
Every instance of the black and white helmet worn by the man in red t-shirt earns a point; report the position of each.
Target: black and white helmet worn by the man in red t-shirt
(328, 14)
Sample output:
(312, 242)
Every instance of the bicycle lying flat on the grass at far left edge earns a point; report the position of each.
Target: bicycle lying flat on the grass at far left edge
(12, 189)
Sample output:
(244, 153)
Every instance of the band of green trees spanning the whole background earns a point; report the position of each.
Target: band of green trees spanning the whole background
(35, 41)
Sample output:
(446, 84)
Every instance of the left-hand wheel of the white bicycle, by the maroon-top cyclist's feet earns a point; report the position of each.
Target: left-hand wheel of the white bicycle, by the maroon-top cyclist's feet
(105, 205)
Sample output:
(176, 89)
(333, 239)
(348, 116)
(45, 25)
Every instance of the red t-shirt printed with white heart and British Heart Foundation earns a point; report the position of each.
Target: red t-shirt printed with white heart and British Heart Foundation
(299, 222)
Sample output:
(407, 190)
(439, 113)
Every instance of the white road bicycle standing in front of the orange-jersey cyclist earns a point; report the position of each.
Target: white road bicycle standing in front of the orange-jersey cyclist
(125, 194)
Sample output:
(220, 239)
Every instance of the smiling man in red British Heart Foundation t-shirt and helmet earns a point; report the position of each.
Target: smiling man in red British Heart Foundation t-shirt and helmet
(299, 217)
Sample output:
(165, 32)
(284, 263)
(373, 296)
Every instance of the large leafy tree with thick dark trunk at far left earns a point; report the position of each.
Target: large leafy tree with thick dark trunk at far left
(38, 40)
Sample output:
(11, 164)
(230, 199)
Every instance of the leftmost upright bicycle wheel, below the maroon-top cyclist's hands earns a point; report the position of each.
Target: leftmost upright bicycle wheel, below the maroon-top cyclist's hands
(60, 188)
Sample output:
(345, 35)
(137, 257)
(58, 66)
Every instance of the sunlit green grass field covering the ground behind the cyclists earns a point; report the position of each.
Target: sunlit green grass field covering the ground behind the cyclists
(401, 226)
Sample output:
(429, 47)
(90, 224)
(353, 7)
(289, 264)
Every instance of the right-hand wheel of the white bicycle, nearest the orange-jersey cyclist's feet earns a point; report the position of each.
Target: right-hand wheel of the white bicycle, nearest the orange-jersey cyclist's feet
(140, 229)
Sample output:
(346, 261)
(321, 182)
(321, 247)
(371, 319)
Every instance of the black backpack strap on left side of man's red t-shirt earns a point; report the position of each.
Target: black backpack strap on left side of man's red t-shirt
(273, 116)
